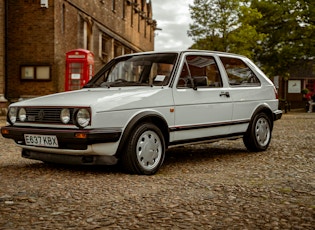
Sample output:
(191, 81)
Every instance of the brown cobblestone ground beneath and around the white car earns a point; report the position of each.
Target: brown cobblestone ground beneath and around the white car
(213, 186)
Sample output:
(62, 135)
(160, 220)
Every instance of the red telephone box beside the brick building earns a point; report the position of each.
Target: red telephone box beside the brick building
(79, 68)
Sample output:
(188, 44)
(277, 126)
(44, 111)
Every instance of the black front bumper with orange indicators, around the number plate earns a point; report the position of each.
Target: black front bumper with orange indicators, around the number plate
(75, 139)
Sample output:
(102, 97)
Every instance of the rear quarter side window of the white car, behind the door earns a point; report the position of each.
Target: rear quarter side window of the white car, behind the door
(239, 73)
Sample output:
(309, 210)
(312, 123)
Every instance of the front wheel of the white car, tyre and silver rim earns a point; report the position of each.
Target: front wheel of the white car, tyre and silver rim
(144, 152)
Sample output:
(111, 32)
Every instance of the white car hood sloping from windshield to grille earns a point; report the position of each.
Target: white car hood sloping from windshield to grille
(104, 99)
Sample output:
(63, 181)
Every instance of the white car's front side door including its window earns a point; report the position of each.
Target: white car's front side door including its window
(203, 105)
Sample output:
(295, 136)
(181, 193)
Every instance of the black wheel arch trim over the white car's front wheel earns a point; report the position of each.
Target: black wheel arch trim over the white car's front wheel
(147, 116)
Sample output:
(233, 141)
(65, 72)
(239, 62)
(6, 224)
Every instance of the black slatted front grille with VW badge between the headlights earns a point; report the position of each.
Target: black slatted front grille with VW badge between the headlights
(46, 115)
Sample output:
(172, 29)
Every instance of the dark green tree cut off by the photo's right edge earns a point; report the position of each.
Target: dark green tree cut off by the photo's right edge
(290, 33)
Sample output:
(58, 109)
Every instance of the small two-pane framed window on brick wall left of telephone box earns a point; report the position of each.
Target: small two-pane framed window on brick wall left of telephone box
(31, 72)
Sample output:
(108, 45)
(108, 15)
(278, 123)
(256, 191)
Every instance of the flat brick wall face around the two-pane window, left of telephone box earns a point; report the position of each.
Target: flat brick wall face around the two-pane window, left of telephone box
(30, 42)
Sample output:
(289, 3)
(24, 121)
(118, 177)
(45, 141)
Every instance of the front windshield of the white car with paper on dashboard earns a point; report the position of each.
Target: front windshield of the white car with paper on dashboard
(138, 70)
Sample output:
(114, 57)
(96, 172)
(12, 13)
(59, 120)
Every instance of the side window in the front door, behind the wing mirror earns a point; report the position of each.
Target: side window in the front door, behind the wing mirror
(201, 70)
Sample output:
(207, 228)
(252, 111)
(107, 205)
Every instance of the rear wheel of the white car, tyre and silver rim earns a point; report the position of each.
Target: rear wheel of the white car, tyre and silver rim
(258, 135)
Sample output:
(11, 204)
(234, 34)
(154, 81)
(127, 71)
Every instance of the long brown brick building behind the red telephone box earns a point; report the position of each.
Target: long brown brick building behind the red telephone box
(36, 34)
